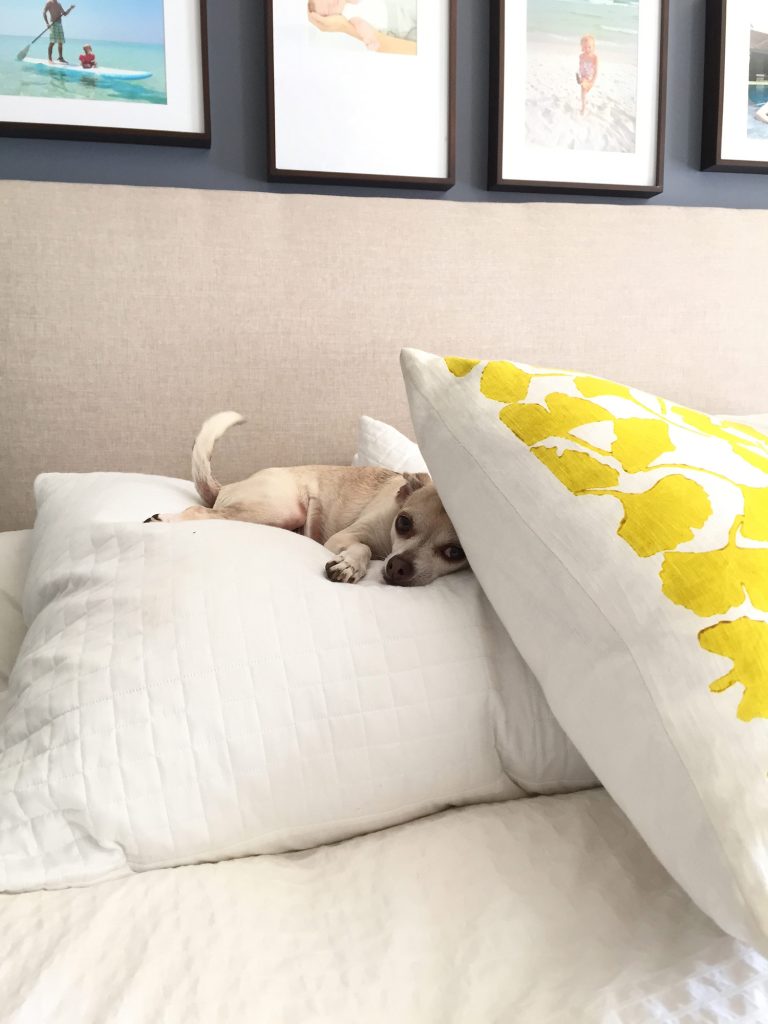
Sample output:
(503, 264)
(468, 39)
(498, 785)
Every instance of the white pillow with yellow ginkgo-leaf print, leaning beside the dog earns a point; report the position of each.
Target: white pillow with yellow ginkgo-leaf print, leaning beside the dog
(624, 542)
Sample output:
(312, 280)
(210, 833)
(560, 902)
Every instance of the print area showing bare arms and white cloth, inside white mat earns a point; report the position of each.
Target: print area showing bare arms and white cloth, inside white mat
(379, 26)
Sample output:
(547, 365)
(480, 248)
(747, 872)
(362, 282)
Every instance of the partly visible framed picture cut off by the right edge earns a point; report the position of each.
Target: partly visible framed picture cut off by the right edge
(735, 122)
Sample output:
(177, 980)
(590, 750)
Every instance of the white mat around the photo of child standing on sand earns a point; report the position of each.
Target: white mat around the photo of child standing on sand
(524, 162)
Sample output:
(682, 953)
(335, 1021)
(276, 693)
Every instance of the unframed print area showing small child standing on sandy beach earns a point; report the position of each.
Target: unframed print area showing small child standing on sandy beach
(582, 75)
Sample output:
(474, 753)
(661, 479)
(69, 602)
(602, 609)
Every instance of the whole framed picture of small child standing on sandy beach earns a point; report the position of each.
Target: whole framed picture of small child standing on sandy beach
(578, 97)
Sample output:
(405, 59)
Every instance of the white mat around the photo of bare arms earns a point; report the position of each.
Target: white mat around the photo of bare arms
(340, 109)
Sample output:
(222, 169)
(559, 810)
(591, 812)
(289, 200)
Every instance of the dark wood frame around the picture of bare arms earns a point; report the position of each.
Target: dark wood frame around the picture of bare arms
(289, 177)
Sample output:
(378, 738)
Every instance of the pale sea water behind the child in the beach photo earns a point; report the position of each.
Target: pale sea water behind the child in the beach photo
(611, 24)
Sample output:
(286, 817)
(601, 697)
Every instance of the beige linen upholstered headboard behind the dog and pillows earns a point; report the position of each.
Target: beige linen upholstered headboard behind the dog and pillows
(130, 315)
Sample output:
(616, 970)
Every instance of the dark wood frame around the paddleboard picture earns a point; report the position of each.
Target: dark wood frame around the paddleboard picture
(93, 134)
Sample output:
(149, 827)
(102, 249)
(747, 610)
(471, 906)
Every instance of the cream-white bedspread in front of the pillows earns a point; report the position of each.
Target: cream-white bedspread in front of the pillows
(532, 912)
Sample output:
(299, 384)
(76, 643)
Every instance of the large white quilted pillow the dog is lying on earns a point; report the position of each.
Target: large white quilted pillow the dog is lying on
(198, 692)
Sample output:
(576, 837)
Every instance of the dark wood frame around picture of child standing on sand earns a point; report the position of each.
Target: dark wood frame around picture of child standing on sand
(497, 183)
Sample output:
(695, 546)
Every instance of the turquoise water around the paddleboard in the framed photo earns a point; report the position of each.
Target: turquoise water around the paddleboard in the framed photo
(19, 79)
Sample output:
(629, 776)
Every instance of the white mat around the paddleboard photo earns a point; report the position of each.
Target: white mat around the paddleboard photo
(184, 112)
